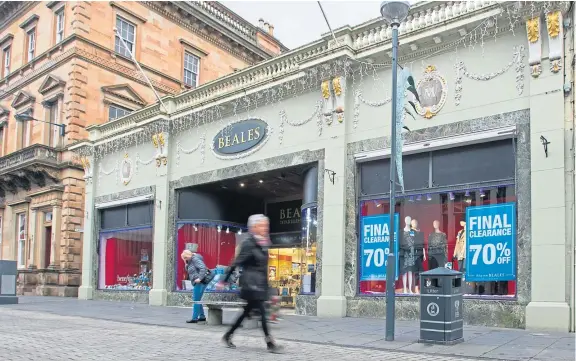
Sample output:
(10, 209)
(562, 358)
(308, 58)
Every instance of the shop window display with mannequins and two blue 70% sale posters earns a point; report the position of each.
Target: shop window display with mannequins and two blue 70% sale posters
(432, 232)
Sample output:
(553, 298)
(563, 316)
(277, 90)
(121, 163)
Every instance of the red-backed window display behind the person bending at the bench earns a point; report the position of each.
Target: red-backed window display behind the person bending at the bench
(217, 244)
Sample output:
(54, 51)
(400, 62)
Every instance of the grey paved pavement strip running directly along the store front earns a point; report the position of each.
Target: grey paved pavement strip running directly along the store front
(480, 342)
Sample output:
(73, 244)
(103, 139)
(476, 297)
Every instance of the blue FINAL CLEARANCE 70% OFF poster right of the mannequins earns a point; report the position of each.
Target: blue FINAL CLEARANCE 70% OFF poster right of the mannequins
(491, 243)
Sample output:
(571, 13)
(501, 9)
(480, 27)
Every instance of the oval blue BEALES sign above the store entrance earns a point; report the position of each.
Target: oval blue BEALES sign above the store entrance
(240, 137)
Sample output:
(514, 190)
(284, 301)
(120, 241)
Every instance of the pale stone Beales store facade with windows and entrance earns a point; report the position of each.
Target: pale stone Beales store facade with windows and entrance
(305, 139)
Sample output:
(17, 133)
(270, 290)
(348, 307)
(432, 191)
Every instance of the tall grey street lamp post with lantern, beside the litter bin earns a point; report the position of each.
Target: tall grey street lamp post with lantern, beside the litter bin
(393, 12)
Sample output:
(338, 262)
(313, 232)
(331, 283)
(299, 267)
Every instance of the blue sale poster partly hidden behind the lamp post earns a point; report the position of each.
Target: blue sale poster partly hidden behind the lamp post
(375, 246)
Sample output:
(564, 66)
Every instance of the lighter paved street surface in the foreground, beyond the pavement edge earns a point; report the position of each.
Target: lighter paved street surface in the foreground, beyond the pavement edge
(33, 335)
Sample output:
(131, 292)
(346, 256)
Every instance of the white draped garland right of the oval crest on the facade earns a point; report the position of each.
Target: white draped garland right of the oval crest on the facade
(517, 62)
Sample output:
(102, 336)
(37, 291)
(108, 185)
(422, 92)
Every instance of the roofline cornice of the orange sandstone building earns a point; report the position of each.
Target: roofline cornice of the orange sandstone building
(180, 20)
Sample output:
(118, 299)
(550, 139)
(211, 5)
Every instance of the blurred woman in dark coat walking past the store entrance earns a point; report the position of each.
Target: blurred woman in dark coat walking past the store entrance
(253, 258)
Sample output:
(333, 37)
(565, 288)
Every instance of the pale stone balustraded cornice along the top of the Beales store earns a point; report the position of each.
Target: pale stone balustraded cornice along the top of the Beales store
(297, 63)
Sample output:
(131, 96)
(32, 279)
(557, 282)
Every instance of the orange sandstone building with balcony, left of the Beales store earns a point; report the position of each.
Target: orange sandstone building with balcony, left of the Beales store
(62, 63)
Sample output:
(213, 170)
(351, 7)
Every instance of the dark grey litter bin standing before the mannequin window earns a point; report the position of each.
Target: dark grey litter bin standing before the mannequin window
(441, 319)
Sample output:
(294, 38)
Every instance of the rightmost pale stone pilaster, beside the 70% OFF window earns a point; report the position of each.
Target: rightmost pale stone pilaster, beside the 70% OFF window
(548, 307)
